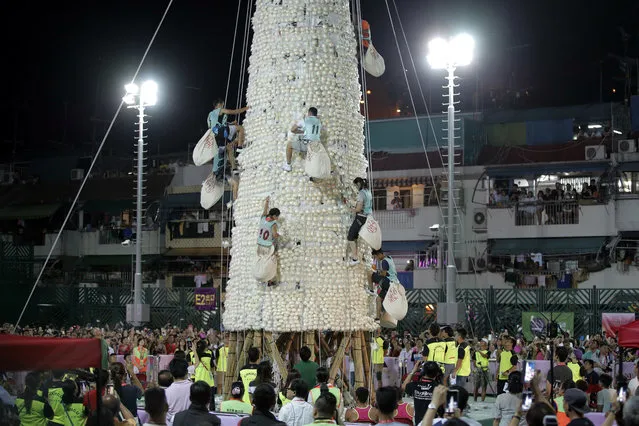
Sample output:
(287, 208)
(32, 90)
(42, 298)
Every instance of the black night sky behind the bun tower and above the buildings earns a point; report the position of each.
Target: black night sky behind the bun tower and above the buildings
(65, 62)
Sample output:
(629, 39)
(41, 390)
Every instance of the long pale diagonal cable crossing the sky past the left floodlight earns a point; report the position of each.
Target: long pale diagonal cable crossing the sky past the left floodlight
(89, 170)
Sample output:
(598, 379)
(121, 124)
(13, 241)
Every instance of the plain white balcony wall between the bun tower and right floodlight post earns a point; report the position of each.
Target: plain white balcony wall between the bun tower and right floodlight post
(407, 224)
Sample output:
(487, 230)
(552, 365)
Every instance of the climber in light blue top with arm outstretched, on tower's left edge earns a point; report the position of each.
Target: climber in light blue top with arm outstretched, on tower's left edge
(225, 133)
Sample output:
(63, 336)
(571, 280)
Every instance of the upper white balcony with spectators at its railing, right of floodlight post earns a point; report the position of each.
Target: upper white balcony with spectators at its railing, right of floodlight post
(556, 219)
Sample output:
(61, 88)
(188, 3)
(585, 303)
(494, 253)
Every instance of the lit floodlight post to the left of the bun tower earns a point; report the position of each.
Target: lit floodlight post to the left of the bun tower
(138, 313)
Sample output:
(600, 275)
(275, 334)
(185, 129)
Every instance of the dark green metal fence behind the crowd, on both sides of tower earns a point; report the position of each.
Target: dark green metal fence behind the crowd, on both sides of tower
(486, 310)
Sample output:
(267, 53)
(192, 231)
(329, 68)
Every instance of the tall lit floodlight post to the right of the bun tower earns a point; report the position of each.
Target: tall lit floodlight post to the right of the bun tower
(448, 55)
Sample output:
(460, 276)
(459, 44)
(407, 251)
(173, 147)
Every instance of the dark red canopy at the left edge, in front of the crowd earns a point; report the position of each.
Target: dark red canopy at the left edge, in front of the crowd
(24, 353)
